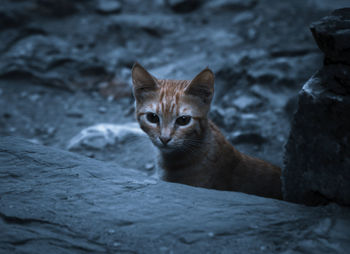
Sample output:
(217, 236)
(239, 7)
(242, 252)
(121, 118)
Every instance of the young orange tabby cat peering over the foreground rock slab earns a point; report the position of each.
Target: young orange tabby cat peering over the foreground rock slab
(192, 150)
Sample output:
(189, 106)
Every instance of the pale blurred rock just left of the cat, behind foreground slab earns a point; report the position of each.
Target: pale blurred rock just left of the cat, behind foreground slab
(125, 144)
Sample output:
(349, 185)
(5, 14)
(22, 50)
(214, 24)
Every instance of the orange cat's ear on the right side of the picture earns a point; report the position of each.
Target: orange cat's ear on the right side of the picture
(202, 85)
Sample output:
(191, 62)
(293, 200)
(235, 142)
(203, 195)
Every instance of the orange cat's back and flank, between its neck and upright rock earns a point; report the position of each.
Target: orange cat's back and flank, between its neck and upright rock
(240, 172)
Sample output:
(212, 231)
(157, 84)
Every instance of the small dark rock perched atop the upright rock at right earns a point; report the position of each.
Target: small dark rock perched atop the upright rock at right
(332, 34)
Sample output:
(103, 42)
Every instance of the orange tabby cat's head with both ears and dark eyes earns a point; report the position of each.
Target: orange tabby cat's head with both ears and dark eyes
(173, 112)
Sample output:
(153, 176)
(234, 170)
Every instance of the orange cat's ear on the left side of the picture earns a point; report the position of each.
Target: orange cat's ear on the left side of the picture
(143, 82)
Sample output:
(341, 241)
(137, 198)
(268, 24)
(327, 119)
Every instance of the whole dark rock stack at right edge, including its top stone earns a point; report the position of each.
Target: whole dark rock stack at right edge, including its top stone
(317, 159)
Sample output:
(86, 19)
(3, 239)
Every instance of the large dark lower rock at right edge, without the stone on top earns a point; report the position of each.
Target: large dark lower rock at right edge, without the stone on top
(317, 157)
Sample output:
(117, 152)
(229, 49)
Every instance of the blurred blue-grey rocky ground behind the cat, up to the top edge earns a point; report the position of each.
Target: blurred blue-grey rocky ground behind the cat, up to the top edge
(65, 69)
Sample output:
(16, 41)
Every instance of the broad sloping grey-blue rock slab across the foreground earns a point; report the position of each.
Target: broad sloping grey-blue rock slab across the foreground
(52, 201)
